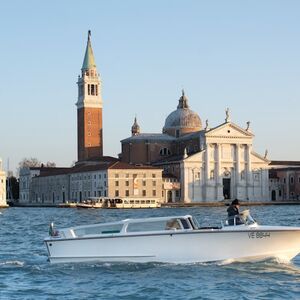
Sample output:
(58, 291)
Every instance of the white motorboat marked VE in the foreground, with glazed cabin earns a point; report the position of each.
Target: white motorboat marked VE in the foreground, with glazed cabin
(176, 239)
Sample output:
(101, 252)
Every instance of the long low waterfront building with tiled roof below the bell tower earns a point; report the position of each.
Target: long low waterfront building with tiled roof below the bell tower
(108, 178)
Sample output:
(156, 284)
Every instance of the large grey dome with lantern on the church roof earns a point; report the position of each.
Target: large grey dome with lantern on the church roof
(182, 120)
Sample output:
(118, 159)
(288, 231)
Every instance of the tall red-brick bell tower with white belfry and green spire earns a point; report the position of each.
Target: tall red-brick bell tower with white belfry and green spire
(89, 108)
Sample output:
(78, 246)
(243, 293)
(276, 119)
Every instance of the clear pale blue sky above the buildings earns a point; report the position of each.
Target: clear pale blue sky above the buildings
(244, 55)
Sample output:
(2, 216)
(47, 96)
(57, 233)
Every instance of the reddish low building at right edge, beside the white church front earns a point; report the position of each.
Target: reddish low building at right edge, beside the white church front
(284, 180)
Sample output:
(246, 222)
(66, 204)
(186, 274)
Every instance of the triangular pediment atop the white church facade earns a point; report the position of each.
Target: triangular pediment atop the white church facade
(228, 130)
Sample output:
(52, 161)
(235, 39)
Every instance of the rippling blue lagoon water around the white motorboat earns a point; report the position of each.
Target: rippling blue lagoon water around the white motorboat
(25, 272)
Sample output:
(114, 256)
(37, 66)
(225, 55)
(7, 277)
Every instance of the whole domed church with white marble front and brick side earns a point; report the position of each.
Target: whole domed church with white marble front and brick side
(211, 164)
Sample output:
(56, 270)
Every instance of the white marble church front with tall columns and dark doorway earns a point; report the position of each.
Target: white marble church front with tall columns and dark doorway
(225, 168)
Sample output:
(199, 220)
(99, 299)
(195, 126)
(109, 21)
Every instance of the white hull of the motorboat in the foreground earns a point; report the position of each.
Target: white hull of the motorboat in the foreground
(178, 247)
